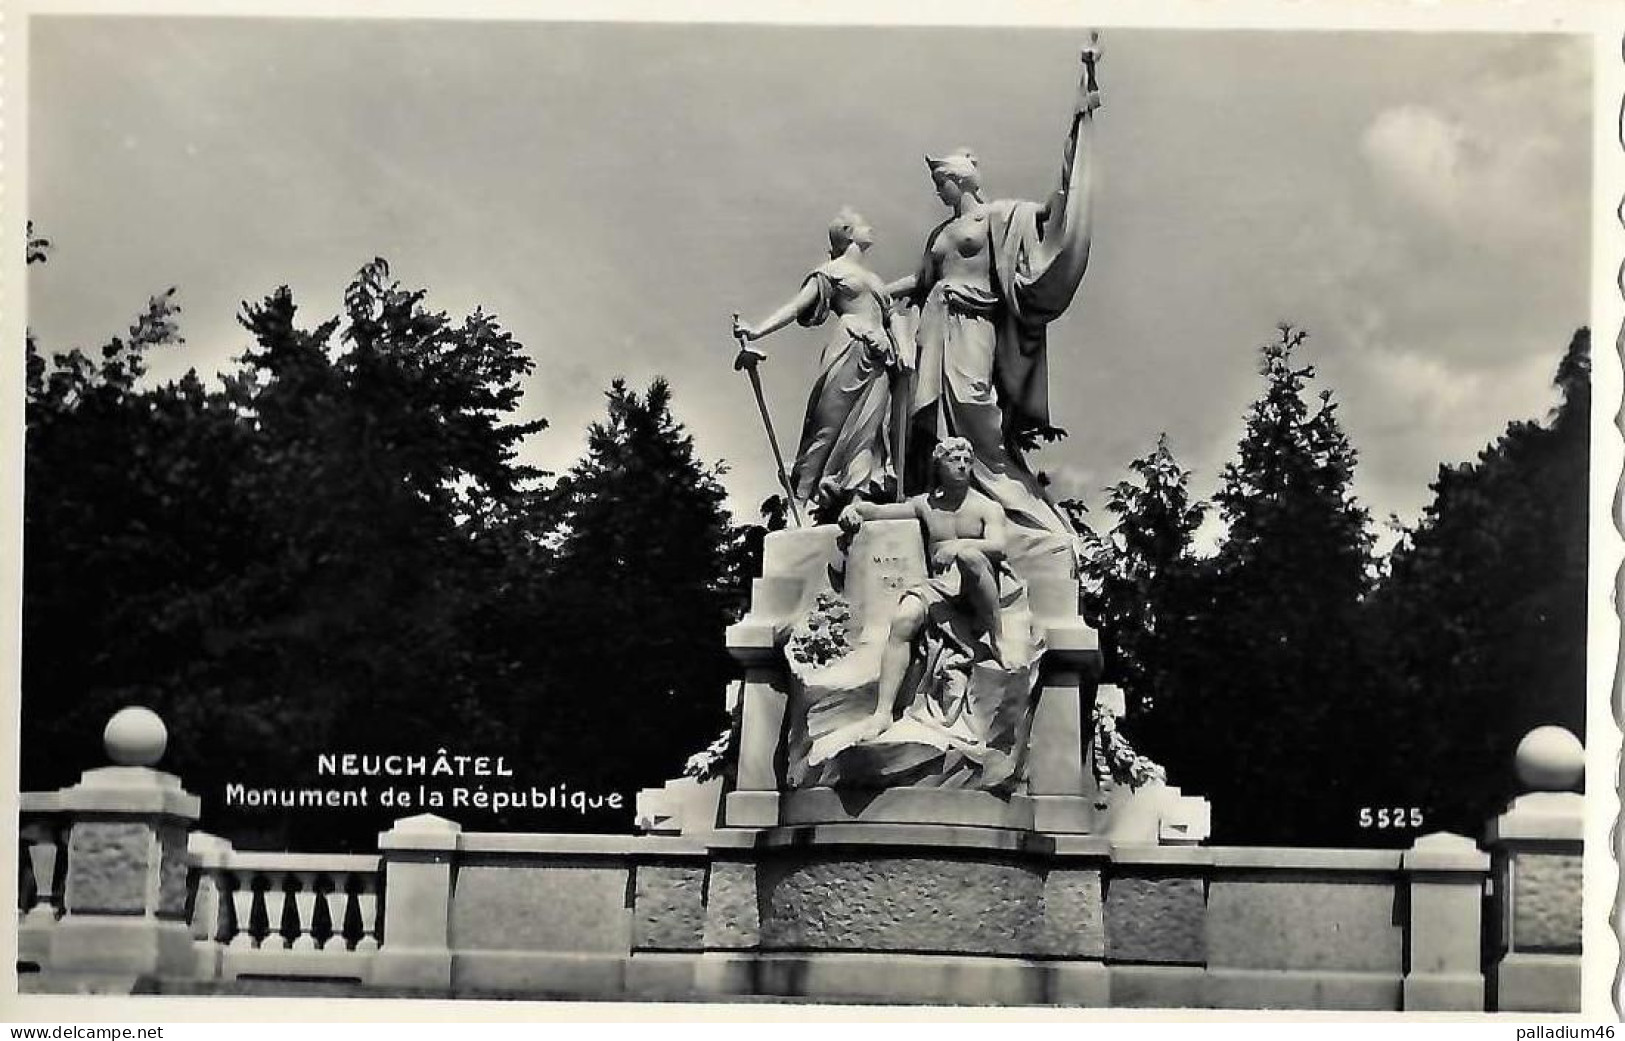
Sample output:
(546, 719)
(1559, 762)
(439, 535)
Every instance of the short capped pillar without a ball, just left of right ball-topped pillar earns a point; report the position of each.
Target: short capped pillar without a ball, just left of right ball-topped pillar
(1444, 941)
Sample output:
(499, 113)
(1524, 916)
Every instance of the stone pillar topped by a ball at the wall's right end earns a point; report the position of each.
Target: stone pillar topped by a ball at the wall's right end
(1538, 879)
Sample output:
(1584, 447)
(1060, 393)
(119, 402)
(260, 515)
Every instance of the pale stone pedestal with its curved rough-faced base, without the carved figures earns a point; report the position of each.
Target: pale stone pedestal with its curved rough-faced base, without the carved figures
(963, 888)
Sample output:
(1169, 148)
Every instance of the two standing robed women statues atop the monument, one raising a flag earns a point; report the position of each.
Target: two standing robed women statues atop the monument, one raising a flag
(953, 350)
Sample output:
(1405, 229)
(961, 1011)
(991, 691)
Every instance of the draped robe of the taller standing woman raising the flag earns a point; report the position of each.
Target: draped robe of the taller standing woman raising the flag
(981, 368)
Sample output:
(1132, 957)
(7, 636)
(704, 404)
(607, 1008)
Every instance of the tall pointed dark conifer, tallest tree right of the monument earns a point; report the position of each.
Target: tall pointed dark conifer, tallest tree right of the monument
(1275, 706)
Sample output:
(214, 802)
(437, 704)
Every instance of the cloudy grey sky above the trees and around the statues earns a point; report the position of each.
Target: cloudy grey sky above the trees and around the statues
(1419, 202)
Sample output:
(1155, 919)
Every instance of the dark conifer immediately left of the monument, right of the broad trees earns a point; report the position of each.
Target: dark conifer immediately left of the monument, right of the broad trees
(646, 561)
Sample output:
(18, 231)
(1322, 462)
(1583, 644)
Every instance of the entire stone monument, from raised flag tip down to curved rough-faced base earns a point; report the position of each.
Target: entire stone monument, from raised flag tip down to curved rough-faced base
(924, 769)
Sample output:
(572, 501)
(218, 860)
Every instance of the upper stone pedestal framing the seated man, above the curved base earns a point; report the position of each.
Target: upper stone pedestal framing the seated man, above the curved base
(1054, 792)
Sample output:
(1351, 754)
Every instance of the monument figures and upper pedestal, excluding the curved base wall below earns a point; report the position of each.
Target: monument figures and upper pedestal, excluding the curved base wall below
(924, 662)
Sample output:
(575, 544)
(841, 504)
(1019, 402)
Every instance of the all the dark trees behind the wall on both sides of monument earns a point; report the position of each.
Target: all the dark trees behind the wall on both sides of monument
(339, 550)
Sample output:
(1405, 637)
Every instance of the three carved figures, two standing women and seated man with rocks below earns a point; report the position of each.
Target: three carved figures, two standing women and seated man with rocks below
(930, 391)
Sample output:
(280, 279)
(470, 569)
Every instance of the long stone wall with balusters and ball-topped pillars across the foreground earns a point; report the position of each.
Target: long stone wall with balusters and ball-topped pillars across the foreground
(118, 888)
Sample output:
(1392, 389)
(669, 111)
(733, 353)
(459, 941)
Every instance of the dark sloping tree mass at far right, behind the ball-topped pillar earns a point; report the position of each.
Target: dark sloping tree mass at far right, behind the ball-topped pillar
(1486, 607)
